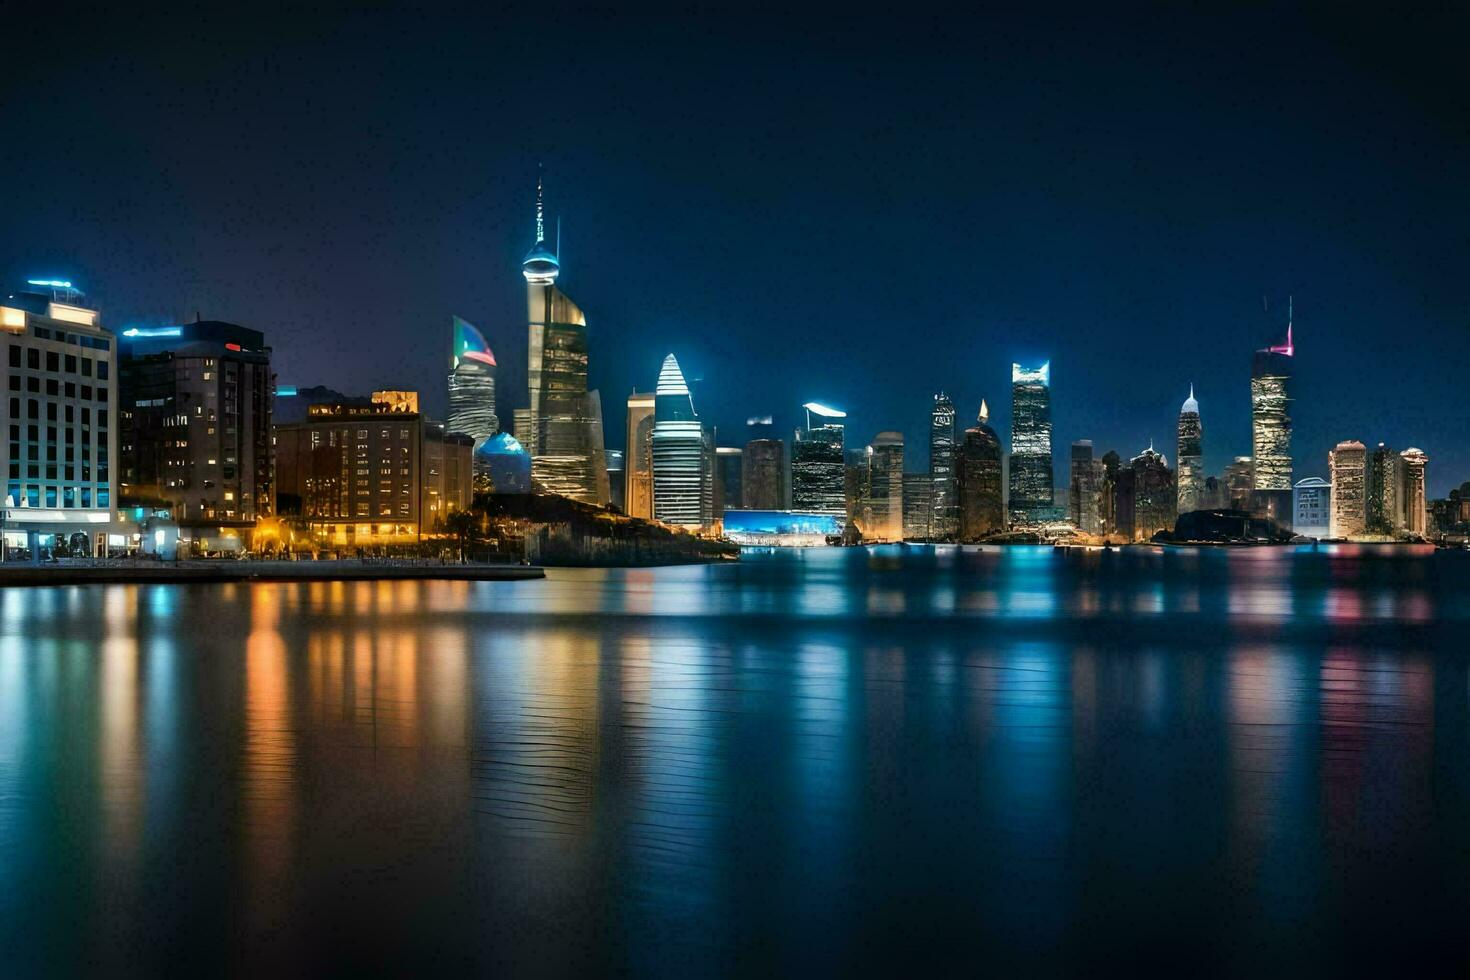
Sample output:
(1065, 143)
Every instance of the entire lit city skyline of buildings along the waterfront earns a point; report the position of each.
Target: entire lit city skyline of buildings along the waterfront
(177, 439)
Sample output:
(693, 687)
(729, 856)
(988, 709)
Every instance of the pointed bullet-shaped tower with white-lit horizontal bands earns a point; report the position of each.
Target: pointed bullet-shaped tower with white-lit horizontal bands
(680, 489)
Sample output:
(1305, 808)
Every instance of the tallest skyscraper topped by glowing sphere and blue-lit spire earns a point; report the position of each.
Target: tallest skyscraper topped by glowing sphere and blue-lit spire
(564, 427)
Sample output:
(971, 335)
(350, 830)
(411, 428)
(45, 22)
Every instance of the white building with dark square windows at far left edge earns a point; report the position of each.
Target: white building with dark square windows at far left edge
(60, 412)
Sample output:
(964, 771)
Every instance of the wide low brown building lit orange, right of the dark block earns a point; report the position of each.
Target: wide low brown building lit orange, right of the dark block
(374, 474)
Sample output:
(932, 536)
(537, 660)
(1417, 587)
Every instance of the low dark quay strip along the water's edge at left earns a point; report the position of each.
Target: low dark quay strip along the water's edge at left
(252, 571)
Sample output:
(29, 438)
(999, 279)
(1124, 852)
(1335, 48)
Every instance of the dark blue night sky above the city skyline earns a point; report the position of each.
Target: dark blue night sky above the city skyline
(846, 211)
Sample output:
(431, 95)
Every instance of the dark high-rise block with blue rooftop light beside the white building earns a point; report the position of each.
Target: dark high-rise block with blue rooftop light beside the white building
(196, 414)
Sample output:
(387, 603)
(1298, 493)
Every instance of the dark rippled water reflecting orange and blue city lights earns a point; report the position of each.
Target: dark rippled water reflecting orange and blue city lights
(824, 762)
